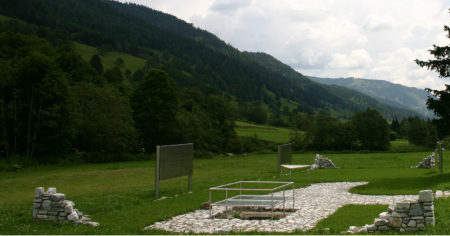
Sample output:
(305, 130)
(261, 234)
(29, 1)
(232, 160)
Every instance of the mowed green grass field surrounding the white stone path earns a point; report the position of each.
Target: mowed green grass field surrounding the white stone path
(121, 196)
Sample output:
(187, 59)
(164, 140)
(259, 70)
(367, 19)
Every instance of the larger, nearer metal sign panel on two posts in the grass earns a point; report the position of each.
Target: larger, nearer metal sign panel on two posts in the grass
(174, 161)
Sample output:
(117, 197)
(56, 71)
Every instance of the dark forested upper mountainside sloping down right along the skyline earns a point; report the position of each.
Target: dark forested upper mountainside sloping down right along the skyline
(191, 56)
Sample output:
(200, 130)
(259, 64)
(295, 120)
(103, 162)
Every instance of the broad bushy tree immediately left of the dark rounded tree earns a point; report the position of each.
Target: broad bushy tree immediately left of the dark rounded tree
(105, 119)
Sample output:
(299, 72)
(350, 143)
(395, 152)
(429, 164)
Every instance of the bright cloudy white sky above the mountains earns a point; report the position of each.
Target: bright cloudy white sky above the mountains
(370, 39)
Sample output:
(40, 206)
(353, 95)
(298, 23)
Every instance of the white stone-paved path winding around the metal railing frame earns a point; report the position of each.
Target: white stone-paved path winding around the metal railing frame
(312, 204)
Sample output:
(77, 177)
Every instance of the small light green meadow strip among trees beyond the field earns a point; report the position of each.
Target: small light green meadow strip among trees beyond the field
(273, 134)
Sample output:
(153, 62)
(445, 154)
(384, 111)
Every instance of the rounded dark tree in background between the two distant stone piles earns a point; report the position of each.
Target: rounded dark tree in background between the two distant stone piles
(372, 130)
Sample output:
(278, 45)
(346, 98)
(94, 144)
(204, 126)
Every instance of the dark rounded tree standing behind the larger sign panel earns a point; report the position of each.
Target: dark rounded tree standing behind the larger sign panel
(155, 104)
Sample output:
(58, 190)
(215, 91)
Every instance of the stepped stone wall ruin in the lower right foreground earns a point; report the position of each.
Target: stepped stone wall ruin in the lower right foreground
(403, 216)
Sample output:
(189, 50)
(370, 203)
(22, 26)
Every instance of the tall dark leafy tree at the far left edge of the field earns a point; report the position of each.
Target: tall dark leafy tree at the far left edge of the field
(37, 109)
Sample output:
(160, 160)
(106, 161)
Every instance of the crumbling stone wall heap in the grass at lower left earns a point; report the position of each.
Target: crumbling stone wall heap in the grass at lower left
(54, 207)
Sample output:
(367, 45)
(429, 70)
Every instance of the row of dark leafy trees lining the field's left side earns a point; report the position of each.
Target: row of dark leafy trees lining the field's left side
(52, 103)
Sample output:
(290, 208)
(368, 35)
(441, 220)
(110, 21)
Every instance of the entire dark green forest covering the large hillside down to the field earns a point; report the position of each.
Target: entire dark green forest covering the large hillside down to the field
(56, 106)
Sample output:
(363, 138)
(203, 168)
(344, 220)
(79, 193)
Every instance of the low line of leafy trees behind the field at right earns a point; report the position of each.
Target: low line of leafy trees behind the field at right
(367, 130)
